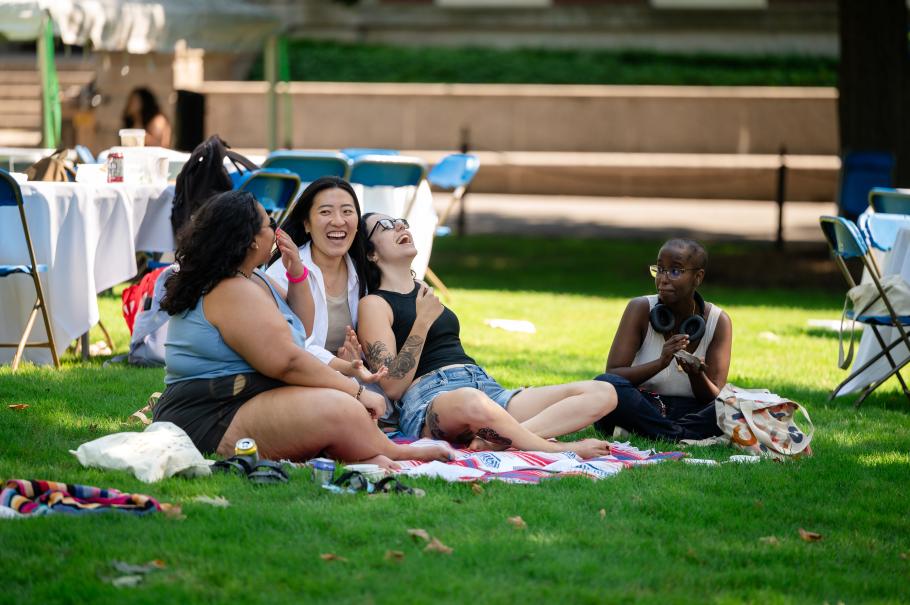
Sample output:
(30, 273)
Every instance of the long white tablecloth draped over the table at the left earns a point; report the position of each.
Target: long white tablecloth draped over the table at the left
(88, 236)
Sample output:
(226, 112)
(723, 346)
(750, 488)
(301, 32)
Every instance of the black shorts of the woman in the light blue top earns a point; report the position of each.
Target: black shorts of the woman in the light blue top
(204, 408)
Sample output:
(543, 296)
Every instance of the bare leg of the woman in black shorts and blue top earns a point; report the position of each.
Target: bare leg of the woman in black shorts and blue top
(298, 422)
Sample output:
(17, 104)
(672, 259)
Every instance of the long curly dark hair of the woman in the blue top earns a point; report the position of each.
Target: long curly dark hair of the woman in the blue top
(211, 247)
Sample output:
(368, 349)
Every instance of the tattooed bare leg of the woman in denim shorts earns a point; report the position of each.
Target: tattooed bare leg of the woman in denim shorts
(466, 411)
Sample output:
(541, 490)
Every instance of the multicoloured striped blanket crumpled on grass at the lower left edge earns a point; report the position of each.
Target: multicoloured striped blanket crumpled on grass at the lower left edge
(34, 498)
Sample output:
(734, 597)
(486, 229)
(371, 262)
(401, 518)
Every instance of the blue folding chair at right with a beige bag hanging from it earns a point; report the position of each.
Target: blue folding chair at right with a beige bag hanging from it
(847, 242)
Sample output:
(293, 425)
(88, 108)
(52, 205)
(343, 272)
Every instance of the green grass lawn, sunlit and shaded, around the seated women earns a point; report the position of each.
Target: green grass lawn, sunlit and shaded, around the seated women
(672, 533)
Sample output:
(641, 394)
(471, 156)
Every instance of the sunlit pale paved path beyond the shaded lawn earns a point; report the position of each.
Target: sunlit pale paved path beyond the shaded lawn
(633, 218)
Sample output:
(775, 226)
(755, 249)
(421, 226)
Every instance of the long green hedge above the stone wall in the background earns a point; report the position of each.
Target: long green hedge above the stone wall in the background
(341, 62)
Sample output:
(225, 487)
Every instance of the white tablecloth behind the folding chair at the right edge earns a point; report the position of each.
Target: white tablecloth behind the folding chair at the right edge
(894, 262)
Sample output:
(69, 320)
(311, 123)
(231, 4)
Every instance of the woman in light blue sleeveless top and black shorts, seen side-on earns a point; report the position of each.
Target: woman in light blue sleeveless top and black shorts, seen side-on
(236, 366)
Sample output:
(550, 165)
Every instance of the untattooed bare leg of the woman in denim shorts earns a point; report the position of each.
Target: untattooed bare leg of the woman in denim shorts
(565, 408)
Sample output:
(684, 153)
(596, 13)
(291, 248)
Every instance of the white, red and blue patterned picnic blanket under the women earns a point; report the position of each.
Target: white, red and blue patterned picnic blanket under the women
(530, 467)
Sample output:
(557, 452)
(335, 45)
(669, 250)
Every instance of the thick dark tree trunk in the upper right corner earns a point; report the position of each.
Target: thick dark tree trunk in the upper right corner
(874, 80)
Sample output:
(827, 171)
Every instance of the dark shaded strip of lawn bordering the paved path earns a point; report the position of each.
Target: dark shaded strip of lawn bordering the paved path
(746, 273)
